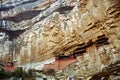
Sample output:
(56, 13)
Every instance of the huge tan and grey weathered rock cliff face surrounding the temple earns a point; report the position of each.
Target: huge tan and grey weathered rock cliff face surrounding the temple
(59, 27)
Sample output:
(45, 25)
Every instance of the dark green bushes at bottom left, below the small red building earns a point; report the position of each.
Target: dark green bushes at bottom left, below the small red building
(18, 73)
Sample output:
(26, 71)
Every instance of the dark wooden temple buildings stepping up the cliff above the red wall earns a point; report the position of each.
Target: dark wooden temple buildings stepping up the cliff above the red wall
(101, 40)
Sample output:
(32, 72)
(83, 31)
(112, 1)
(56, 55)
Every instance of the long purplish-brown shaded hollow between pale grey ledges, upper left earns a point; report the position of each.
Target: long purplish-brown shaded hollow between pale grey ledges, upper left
(23, 16)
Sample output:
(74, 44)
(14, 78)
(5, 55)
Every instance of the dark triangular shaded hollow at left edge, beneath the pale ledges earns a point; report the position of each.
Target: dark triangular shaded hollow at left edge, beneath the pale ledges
(12, 33)
